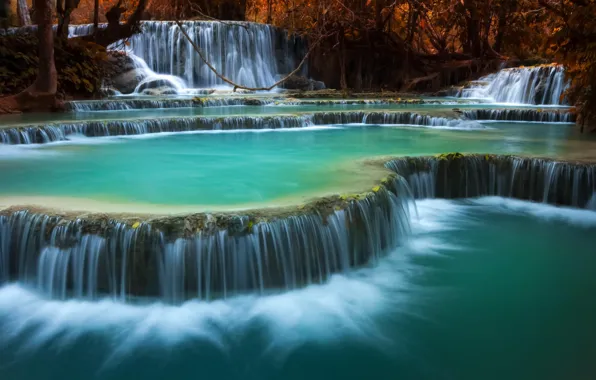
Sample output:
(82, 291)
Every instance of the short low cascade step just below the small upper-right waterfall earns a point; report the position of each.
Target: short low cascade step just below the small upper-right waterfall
(543, 116)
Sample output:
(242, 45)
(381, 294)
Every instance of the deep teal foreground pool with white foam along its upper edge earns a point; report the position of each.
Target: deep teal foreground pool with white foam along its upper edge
(484, 289)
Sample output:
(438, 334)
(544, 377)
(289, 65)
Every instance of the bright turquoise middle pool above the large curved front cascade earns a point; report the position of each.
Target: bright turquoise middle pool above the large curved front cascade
(245, 167)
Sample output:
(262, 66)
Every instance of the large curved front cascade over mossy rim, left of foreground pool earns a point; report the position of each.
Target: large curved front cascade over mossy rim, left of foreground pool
(202, 256)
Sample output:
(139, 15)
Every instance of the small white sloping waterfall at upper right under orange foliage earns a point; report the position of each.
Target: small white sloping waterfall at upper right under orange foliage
(521, 85)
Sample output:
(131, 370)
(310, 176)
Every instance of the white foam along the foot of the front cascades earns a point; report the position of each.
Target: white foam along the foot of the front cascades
(349, 306)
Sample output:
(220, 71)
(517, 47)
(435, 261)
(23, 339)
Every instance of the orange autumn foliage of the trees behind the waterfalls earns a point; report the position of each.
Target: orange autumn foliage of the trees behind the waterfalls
(403, 39)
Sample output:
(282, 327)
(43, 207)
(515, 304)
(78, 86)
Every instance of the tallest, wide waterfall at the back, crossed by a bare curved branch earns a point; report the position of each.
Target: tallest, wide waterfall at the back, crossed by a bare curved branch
(247, 53)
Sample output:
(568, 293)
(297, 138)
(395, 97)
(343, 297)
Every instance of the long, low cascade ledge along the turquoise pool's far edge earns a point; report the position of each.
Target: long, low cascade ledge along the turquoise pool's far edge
(41, 134)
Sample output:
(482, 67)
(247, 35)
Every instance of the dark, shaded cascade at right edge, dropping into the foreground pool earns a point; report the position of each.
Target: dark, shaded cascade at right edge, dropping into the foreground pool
(534, 179)
